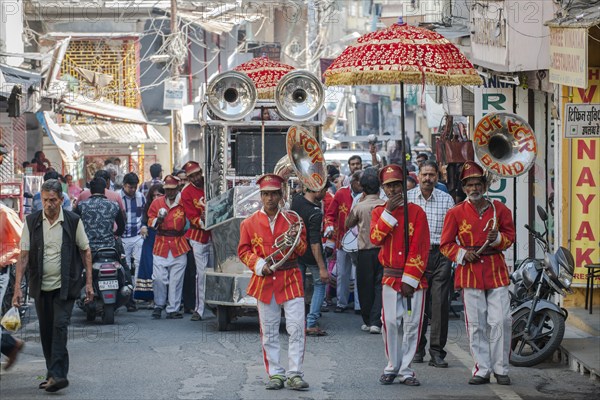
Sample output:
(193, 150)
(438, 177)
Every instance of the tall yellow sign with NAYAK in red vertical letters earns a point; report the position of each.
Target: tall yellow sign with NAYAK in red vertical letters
(581, 187)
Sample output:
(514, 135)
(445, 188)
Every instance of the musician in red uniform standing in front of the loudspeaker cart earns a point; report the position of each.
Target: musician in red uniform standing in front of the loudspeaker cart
(277, 289)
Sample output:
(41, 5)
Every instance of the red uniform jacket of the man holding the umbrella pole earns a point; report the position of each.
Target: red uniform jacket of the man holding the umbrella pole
(387, 232)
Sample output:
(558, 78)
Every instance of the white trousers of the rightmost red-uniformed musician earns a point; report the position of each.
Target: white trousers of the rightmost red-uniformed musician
(489, 326)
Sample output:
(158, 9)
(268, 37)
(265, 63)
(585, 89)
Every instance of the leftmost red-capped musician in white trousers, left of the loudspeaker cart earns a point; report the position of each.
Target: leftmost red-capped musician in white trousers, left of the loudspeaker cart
(170, 249)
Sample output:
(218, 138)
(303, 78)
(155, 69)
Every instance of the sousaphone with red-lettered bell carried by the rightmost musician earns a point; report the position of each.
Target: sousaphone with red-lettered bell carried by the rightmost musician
(505, 145)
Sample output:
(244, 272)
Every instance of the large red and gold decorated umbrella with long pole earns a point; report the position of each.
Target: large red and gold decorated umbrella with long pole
(402, 54)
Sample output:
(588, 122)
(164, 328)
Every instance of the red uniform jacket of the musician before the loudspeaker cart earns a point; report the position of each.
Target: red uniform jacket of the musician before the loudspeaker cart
(256, 243)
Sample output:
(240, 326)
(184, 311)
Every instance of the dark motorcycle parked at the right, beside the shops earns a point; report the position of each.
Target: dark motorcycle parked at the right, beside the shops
(538, 324)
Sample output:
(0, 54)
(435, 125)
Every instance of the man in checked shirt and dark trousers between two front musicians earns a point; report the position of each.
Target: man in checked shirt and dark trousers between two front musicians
(436, 204)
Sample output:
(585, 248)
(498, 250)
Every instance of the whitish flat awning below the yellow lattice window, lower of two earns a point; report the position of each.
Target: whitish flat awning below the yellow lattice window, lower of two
(118, 134)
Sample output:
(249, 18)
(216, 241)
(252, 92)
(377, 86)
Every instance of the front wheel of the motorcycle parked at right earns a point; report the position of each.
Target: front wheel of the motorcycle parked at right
(545, 335)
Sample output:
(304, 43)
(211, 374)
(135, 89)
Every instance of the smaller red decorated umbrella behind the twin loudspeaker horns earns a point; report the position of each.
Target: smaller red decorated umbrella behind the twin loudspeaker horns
(265, 73)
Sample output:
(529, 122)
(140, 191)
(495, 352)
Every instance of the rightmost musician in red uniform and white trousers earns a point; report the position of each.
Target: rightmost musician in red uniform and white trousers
(484, 276)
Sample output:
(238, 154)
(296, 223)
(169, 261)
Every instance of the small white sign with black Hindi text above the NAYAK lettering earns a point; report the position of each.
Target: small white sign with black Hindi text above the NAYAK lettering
(582, 120)
